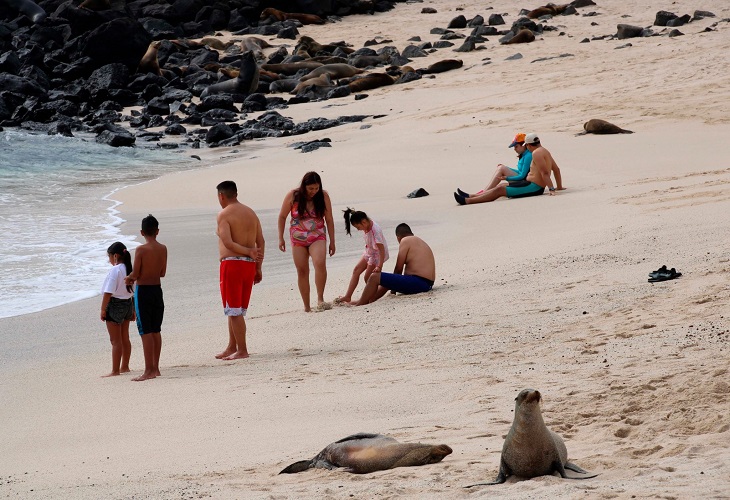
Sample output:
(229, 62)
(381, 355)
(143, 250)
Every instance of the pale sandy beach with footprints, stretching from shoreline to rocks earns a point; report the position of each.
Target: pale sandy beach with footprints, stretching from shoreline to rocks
(547, 292)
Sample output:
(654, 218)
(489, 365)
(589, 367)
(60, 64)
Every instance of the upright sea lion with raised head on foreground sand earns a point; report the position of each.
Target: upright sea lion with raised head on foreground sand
(530, 448)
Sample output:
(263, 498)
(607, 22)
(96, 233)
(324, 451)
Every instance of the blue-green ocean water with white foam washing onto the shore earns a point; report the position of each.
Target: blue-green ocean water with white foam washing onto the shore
(58, 215)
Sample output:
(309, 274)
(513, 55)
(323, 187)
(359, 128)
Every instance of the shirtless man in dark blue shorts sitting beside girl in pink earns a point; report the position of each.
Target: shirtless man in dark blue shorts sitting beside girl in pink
(416, 257)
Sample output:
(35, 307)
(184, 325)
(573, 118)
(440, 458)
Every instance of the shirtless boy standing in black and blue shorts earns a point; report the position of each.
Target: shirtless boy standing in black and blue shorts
(150, 265)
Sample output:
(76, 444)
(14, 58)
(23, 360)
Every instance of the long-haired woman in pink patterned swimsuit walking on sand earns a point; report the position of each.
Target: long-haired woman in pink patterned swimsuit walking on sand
(311, 211)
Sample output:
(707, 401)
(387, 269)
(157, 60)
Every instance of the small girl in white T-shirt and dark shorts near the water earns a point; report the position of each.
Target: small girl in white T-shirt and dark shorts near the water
(117, 309)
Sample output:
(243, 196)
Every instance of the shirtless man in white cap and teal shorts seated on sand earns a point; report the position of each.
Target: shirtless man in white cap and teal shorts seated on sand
(534, 184)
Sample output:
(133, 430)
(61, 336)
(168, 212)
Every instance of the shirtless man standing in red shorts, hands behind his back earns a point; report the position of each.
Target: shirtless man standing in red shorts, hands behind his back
(241, 251)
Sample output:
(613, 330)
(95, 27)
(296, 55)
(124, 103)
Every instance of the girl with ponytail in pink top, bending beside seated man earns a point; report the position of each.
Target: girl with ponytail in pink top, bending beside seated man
(376, 250)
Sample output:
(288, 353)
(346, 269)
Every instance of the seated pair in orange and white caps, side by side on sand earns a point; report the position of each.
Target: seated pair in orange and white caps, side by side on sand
(530, 179)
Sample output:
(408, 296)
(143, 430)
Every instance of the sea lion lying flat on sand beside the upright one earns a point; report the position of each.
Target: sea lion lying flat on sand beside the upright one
(364, 453)
